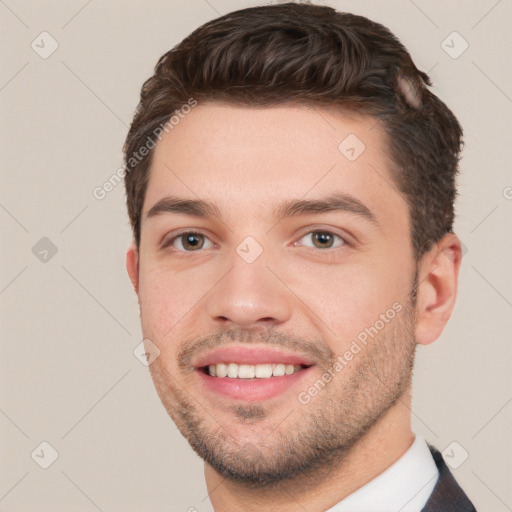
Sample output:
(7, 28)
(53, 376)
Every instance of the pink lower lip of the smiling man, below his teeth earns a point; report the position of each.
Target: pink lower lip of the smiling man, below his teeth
(251, 390)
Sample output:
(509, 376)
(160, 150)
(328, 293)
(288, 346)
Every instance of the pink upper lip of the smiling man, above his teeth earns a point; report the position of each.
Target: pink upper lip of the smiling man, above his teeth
(249, 355)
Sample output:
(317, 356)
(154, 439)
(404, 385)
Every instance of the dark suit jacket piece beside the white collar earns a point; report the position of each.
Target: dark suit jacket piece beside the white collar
(447, 496)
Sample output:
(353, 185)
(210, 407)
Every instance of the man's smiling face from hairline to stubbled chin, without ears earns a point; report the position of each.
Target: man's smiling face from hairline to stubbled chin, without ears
(256, 289)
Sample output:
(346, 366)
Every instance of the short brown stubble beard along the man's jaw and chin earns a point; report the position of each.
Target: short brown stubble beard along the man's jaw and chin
(314, 437)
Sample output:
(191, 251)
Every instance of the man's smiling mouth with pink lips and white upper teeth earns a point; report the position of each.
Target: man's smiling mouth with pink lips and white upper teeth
(251, 374)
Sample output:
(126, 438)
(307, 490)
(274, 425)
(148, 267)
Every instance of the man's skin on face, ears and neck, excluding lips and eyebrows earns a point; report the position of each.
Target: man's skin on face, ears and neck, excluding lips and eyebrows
(297, 295)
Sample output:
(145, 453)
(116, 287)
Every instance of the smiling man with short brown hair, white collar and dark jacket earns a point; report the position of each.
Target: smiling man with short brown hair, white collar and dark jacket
(290, 183)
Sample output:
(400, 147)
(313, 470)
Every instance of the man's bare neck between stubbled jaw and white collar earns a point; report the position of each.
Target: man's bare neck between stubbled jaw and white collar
(380, 447)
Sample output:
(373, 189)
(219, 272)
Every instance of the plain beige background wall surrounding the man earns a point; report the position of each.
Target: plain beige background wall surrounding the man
(70, 323)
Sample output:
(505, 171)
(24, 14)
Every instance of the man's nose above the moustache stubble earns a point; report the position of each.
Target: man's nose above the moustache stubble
(249, 296)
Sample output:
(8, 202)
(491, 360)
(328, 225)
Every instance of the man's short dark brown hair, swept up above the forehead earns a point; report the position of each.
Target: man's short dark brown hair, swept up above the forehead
(312, 55)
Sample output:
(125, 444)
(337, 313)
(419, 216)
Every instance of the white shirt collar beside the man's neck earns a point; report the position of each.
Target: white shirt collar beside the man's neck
(404, 487)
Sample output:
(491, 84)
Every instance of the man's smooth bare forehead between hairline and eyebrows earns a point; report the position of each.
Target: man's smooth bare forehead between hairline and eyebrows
(245, 157)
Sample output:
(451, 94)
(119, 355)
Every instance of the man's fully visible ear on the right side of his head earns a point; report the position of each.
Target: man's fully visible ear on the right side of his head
(437, 288)
